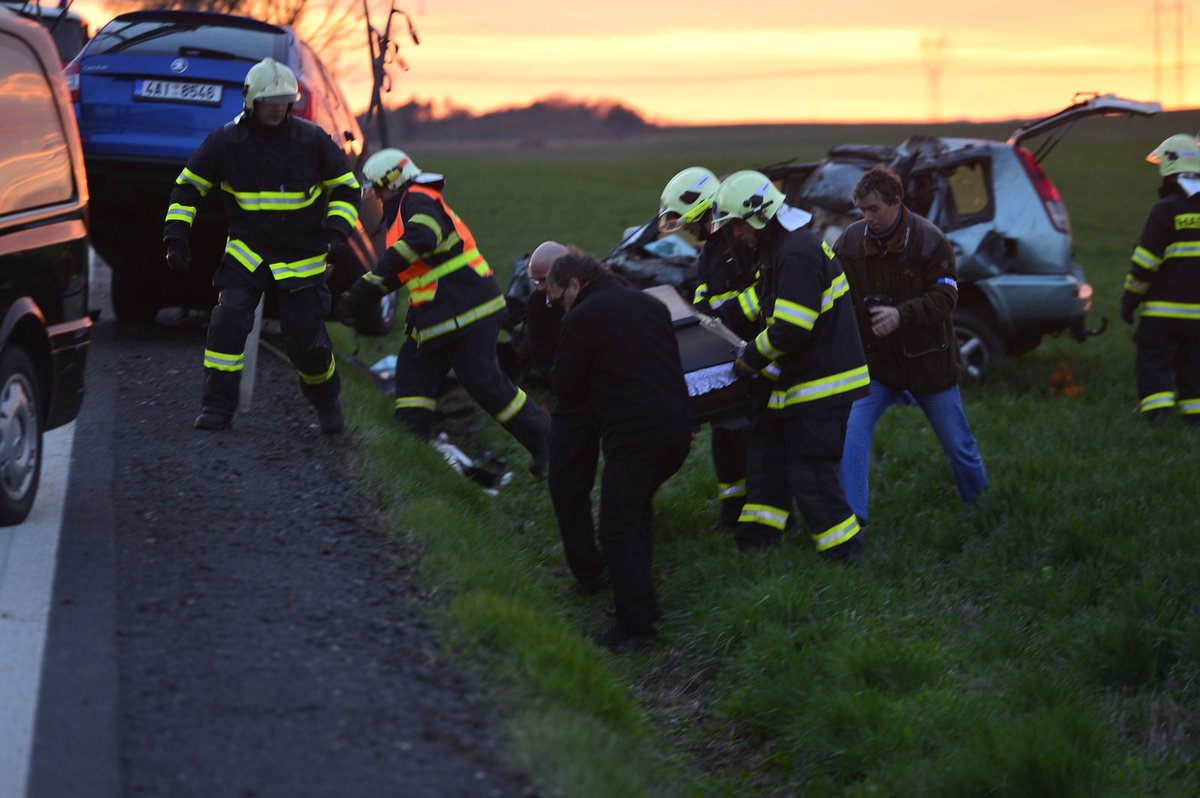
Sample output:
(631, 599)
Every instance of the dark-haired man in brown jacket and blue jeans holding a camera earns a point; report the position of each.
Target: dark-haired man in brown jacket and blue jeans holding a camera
(904, 283)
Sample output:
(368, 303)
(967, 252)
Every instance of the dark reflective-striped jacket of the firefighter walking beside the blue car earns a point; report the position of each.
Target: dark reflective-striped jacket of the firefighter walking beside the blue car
(285, 193)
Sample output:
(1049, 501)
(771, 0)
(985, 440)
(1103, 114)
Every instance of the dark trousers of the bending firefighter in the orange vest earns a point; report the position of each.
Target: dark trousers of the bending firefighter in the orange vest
(471, 353)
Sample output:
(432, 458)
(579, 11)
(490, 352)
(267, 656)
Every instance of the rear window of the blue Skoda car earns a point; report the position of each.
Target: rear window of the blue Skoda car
(188, 38)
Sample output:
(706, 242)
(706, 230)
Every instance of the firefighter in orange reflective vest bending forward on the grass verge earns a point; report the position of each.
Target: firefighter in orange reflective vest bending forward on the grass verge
(455, 307)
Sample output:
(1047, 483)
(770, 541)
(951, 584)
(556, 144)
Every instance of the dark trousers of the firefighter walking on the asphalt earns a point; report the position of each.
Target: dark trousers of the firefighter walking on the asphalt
(303, 314)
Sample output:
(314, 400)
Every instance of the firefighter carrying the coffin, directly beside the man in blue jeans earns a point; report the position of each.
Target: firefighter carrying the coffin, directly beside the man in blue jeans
(811, 368)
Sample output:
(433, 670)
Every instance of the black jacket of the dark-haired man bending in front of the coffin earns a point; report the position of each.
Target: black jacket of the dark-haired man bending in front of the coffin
(619, 361)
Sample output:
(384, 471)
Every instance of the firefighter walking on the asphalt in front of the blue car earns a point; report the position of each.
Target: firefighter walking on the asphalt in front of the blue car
(291, 200)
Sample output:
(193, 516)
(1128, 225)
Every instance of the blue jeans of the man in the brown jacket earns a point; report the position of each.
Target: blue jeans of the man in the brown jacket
(945, 413)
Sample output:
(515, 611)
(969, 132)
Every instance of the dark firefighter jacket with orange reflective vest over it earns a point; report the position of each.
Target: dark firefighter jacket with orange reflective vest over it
(433, 254)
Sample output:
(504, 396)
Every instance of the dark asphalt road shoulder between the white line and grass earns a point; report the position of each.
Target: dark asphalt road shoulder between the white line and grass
(227, 616)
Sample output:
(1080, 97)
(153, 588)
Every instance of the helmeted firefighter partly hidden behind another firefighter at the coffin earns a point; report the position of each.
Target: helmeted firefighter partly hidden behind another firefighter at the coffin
(727, 291)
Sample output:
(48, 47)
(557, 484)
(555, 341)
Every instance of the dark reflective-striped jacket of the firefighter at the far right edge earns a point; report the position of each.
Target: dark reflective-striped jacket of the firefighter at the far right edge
(1166, 272)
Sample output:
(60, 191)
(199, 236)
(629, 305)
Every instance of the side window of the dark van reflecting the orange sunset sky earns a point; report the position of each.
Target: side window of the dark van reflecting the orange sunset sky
(35, 164)
